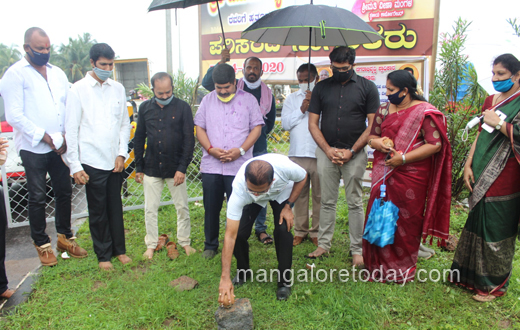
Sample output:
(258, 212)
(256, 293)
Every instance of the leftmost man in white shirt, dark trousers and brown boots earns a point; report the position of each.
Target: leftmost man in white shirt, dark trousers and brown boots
(35, 93)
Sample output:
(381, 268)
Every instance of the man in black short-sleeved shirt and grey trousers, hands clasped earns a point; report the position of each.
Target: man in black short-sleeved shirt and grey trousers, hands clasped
(344, 102)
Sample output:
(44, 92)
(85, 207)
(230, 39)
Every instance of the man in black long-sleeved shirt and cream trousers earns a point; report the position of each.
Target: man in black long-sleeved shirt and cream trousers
(166, 123)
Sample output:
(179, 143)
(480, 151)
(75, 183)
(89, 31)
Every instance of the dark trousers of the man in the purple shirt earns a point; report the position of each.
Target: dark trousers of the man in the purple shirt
(213, 188)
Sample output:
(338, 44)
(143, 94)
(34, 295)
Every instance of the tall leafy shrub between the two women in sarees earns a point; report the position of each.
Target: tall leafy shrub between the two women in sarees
(458, 95)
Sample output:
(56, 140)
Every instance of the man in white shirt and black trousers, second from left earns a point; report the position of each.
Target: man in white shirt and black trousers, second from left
(97, 130)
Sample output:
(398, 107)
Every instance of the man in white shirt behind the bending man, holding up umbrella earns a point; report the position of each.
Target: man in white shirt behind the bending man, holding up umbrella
(302, 151)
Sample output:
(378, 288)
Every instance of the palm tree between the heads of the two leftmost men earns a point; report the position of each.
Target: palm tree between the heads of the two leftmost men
(74, 58)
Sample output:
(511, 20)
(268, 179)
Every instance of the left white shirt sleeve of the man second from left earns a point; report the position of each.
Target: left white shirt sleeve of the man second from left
(72, 120)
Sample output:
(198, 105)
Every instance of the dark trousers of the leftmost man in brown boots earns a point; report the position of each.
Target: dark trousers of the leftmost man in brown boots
(36, 168)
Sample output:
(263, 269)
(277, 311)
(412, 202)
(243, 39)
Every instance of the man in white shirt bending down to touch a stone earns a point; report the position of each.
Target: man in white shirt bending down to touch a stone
(269, 178)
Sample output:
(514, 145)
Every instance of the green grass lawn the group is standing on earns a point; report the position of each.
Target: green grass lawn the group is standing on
(76, 295)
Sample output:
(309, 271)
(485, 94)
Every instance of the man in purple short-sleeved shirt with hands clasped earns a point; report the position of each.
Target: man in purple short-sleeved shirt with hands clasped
(228, 124)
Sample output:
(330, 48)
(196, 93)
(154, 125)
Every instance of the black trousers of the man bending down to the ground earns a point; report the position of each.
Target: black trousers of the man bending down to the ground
(282, 240)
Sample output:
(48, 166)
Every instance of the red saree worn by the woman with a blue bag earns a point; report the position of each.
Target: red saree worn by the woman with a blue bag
(421, 190)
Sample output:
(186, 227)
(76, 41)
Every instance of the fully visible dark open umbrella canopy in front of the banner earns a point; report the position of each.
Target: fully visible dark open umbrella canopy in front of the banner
(328, 26)
